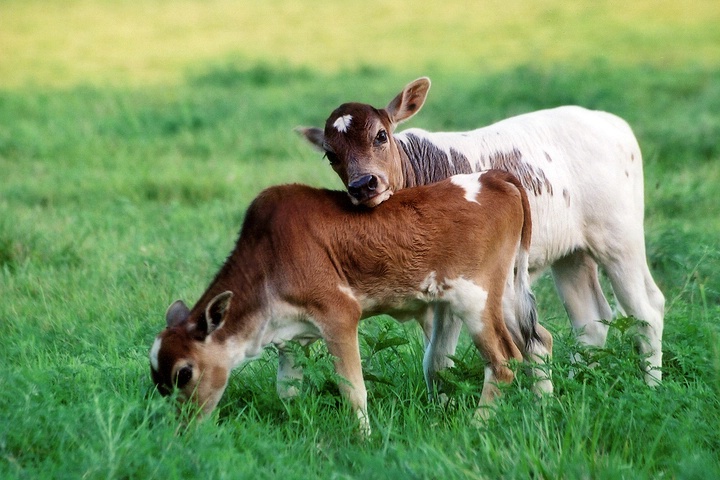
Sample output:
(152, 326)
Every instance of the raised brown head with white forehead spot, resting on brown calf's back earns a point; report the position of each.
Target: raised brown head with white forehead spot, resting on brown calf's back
(358, 142)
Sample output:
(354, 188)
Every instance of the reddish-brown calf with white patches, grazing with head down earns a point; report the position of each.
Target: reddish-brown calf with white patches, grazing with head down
(308, 264)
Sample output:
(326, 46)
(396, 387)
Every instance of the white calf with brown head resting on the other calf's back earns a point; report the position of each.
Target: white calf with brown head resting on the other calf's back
(584, 176)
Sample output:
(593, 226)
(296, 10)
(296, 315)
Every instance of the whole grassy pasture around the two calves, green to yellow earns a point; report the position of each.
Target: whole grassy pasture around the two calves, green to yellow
(134, 135)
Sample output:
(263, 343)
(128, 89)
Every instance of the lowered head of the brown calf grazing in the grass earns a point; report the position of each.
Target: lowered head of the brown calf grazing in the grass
(190, 354)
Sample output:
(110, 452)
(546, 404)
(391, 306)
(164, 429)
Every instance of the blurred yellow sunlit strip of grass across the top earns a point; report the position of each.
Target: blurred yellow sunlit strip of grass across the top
(158, 41)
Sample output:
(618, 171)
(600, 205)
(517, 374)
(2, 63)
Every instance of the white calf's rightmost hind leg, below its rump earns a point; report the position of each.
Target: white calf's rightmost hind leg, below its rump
(640, 297)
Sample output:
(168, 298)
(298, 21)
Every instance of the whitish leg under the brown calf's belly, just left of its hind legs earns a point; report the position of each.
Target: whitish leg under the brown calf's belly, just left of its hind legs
(442, 344)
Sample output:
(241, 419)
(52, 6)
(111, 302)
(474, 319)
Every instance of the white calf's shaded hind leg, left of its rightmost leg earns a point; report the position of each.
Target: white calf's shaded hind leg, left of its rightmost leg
(577, 282)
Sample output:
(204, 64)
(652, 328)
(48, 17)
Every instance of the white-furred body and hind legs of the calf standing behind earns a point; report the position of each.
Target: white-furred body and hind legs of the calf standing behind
(594, 215)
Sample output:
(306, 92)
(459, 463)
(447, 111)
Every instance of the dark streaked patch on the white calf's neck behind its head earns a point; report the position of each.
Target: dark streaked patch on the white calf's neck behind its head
(429, 163)
